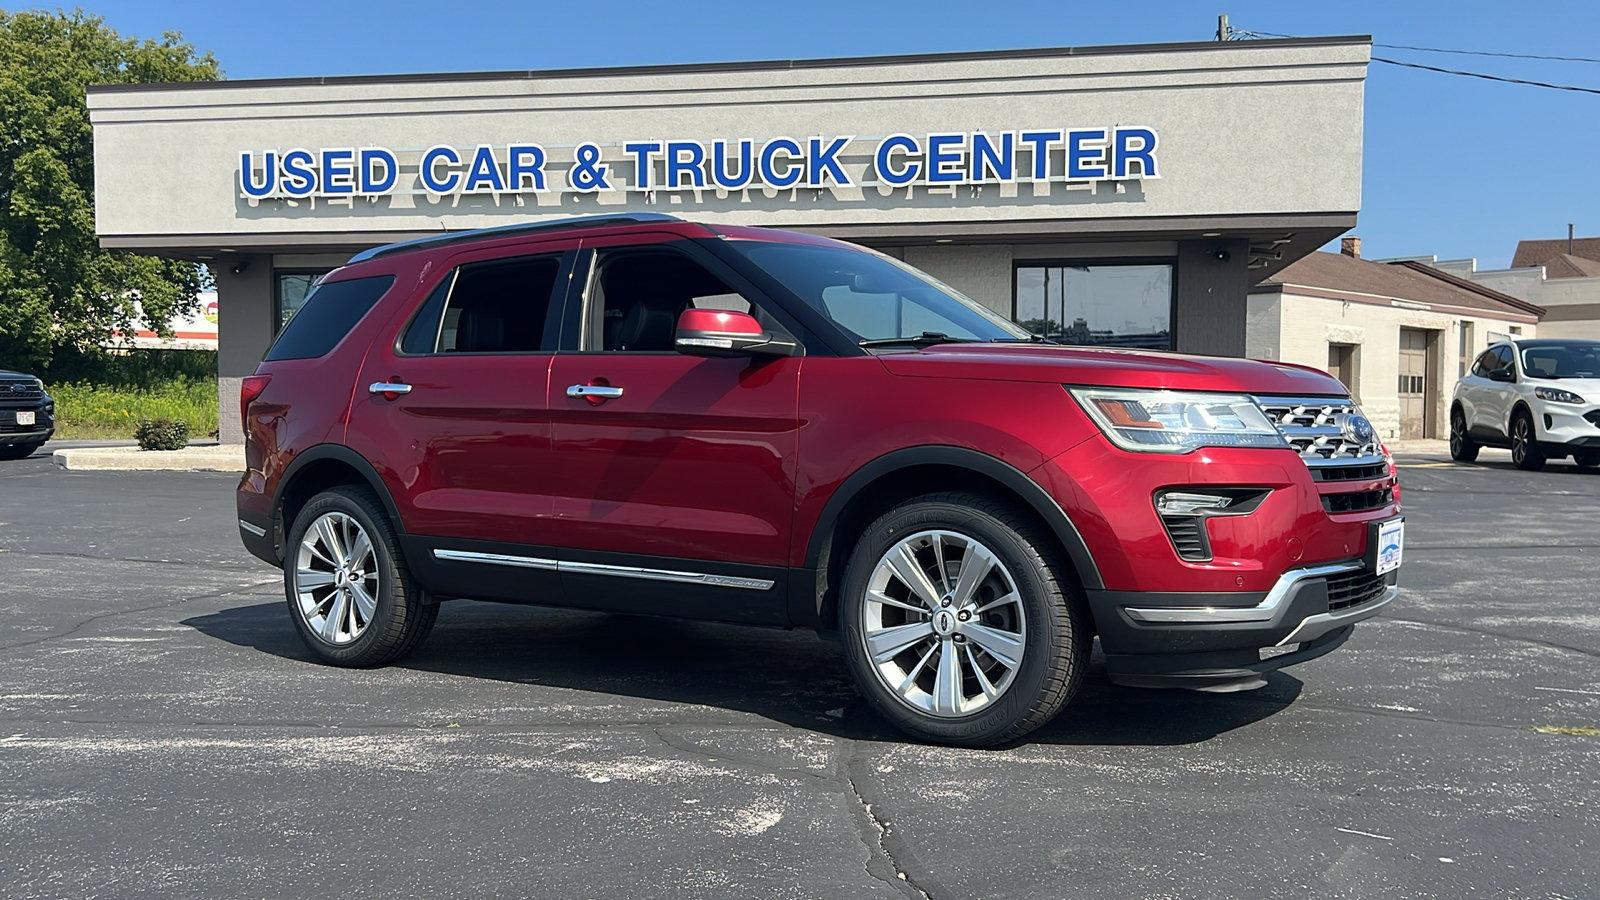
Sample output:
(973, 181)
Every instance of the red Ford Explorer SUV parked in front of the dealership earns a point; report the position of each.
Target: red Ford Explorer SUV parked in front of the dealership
(644, 416)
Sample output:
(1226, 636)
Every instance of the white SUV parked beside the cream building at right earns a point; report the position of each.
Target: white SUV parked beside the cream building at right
(1542, 398)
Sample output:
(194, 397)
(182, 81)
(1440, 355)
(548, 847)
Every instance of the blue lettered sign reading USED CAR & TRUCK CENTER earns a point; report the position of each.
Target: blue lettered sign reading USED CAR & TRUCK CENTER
(898, 161)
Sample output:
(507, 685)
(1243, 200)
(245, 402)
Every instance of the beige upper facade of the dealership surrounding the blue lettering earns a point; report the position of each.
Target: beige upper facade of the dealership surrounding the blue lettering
(1244, 129)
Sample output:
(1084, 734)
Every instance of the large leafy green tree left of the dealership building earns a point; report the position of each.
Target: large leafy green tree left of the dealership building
(58, 289)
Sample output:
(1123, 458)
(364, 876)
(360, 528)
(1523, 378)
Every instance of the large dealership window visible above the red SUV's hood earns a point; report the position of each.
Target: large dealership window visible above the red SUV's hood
(1114, 305)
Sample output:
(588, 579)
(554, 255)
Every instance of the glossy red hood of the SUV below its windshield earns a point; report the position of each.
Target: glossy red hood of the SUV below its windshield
(1111, 369)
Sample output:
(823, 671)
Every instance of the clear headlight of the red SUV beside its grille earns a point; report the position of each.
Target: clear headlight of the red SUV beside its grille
(1177, 422)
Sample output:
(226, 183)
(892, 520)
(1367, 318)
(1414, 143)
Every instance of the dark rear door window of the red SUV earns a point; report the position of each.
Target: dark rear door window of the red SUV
(498, 307)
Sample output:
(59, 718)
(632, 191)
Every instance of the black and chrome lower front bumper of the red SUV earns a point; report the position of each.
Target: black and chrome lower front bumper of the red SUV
(1228, 641)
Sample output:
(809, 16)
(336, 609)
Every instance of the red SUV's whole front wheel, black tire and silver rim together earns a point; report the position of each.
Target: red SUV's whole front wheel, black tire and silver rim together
(1020, 661)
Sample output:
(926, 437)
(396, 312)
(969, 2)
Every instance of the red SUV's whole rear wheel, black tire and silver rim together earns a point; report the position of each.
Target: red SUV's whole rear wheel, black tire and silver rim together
(324, 585)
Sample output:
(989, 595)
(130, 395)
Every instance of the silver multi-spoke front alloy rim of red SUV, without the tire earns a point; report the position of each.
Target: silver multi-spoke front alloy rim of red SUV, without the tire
(945, 624)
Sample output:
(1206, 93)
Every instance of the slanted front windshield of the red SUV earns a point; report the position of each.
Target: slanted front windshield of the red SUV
(874, 297)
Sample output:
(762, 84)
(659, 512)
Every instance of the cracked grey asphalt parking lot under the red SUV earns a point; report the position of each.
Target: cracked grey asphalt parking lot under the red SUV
(164, 734)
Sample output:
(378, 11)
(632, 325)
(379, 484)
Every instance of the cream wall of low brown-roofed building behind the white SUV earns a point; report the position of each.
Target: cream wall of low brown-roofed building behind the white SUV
(1305, 326)
